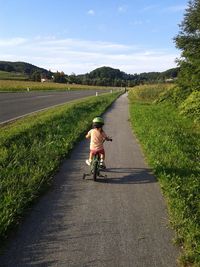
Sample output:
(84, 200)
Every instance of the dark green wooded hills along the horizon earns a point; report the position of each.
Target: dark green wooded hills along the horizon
(103, 76)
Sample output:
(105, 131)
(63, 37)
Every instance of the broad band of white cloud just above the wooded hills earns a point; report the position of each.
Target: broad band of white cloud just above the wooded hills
(81, 56)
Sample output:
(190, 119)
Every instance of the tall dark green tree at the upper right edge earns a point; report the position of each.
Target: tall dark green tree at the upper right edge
(188, 40)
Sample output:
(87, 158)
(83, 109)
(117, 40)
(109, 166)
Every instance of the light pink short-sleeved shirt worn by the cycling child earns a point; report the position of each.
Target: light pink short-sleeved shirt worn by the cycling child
(97, 138)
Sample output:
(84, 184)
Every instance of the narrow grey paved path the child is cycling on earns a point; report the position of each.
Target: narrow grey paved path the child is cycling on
(120, 221)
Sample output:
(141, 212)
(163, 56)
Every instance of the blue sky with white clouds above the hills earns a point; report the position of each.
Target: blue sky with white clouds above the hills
(80, 35)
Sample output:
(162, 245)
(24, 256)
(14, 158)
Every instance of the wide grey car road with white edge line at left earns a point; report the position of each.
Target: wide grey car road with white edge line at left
(14, 105)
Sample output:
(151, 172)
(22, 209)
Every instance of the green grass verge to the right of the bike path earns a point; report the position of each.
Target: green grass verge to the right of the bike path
(171, 144)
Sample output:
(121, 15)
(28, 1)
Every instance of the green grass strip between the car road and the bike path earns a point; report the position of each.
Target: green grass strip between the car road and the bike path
(27, 145)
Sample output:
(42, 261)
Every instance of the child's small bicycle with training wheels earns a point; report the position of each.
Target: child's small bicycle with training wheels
(95, 166)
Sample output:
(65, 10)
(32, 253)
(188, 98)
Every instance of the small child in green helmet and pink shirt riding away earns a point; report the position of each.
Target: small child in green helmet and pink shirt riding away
(97, 137)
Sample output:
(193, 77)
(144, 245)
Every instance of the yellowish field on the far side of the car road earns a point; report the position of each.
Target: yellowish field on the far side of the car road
(20, 86)
